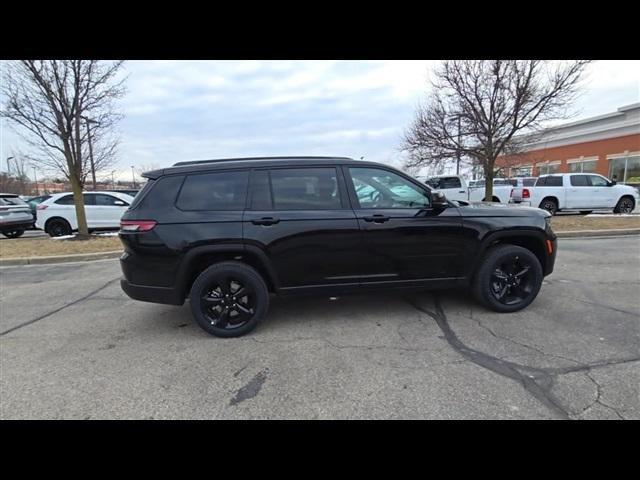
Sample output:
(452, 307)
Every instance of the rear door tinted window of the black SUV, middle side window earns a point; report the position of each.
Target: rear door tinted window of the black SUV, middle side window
(305, 189)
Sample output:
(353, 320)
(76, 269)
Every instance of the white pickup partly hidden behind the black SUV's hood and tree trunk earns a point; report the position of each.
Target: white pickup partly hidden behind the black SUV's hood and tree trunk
(455, 188)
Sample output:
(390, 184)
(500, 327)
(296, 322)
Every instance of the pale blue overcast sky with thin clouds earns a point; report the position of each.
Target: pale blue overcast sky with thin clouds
(188, 110)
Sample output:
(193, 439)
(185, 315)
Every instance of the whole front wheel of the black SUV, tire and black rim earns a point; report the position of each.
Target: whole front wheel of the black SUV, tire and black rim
(518, 289)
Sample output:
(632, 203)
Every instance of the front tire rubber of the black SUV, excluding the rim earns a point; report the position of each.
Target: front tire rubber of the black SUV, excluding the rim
(482, 280)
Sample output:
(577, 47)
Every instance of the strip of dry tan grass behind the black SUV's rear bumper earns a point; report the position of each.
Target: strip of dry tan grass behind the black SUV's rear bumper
(41, 247)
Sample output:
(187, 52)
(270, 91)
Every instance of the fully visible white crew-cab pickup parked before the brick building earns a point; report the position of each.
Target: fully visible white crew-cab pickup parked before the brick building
(577, 191)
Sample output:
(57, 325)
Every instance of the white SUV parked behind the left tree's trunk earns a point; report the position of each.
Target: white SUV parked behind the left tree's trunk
(57, 215)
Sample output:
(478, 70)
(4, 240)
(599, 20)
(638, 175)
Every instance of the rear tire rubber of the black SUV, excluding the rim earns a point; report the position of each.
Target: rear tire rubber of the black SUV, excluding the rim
(242, 272)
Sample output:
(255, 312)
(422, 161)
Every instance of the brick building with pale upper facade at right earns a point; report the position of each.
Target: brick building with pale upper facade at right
(607, 144)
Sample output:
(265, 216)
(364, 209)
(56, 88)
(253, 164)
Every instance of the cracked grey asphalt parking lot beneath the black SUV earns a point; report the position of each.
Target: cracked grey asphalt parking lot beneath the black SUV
(73, 346)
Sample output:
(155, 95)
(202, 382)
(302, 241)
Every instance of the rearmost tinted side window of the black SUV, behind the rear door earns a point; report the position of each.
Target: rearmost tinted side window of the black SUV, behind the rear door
(214, 191)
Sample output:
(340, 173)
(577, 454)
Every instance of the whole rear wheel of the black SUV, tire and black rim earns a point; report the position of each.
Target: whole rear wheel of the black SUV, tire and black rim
(215, 290)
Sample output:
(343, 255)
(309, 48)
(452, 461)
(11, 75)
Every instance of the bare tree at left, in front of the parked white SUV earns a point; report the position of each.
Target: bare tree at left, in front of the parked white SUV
(51, 102)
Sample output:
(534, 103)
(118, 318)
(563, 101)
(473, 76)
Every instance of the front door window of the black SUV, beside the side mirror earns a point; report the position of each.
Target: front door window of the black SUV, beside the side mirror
(377, 188)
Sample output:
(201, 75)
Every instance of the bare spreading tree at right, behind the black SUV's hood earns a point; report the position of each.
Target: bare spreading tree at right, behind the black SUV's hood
(482, 109)
